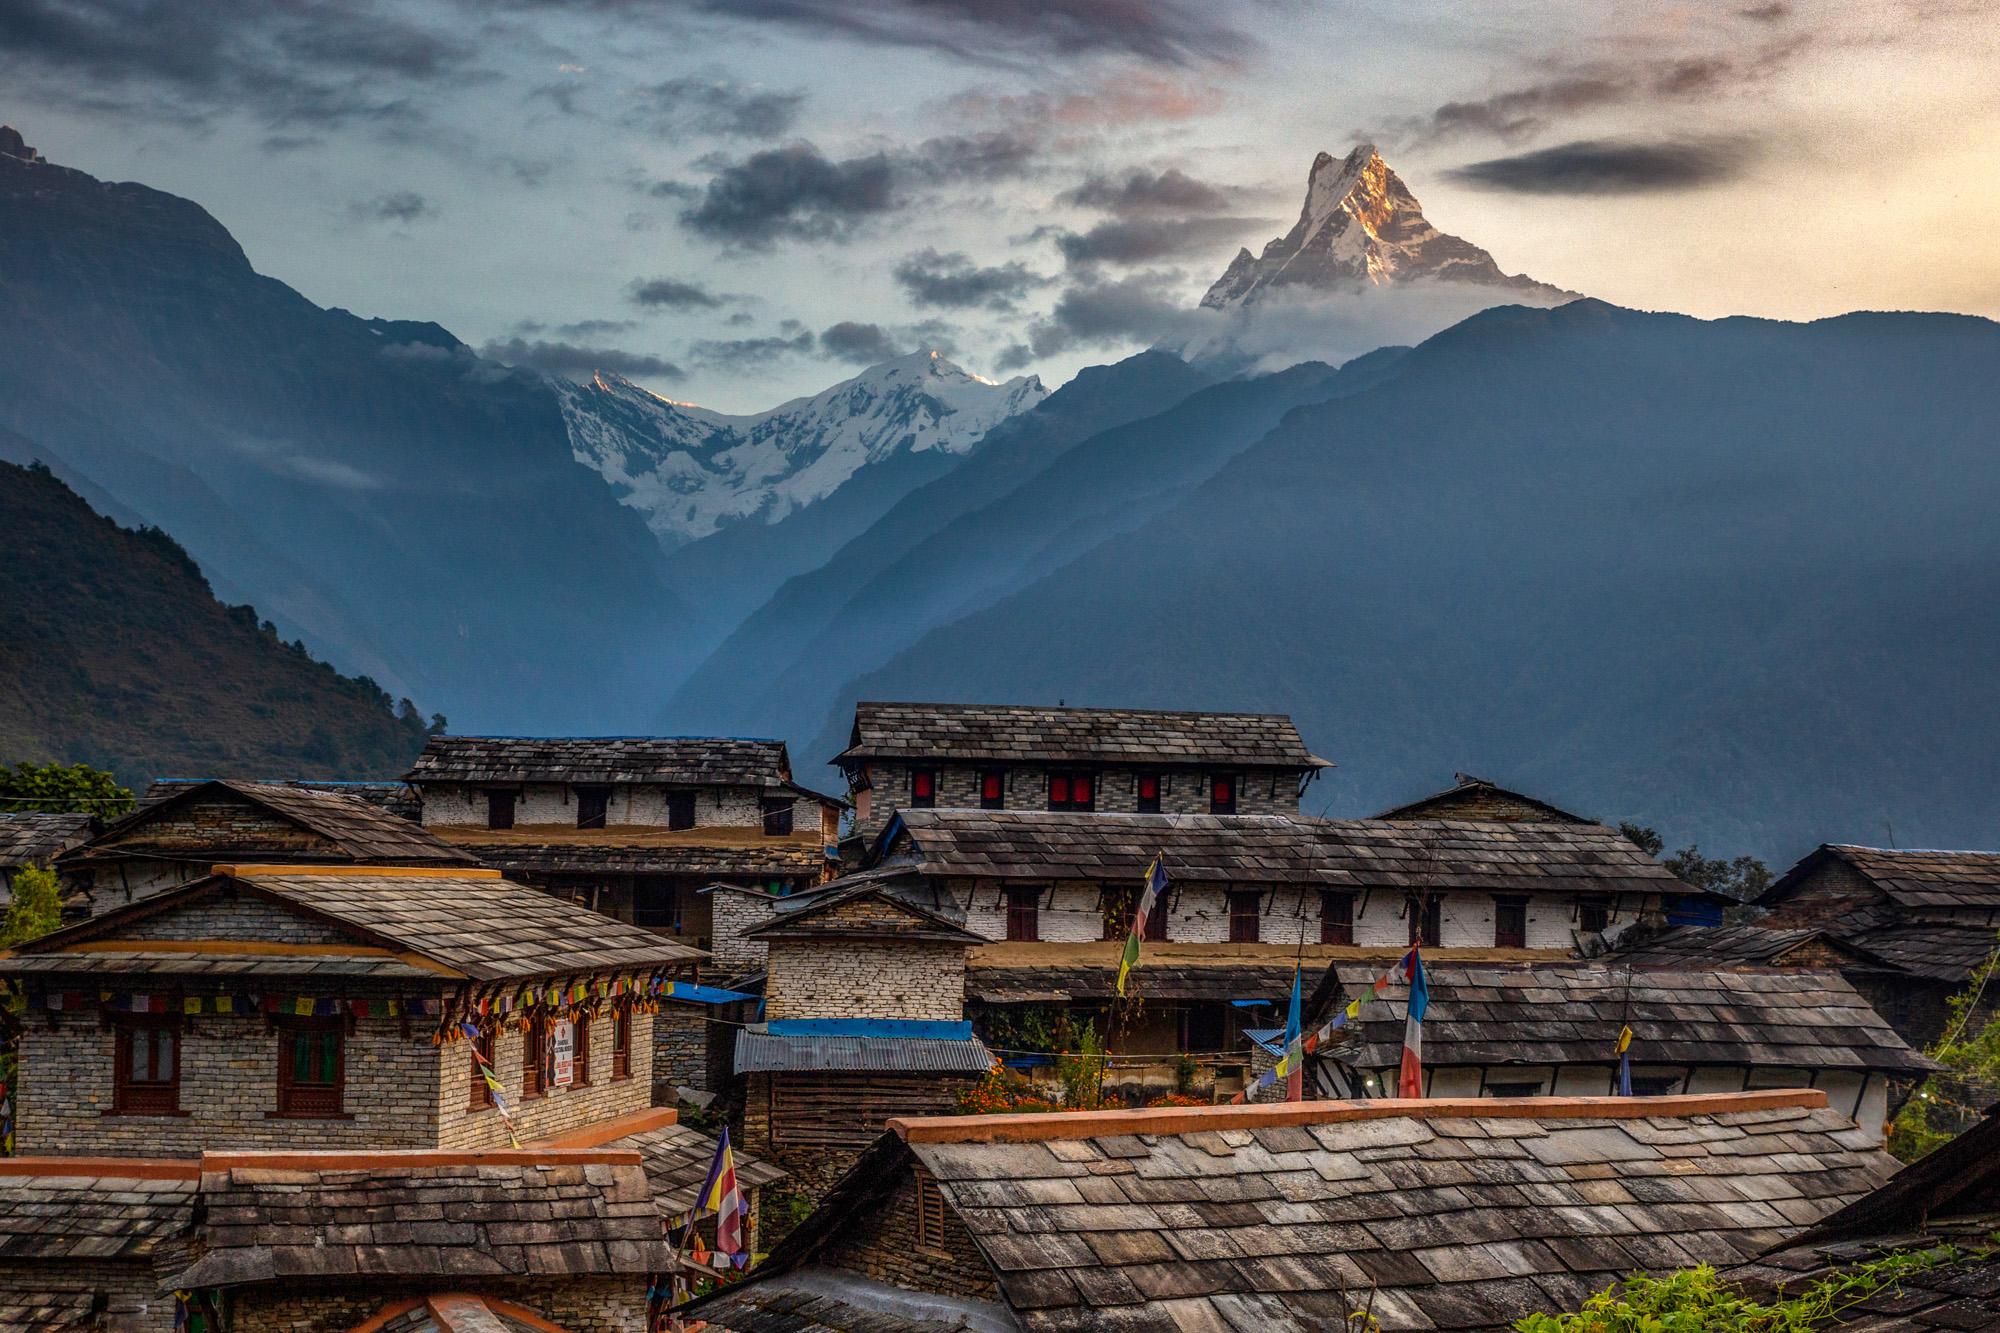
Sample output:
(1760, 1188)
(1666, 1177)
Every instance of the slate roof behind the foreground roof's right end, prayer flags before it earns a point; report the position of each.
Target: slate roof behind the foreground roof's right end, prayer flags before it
(1571, 1016)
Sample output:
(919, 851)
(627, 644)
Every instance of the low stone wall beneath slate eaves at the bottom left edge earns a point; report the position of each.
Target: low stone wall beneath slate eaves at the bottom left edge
(595, 1304)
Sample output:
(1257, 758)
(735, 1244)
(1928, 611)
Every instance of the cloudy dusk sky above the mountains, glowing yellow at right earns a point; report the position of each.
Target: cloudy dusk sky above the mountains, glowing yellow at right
(743, 201)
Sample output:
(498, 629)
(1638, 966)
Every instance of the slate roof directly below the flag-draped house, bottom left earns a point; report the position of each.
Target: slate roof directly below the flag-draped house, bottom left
(463, 1222)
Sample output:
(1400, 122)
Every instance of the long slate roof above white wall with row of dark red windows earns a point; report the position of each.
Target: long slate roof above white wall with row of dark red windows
(1331, 854)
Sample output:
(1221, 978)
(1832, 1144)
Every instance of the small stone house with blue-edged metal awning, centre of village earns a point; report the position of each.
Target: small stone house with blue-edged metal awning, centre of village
(865, 1022)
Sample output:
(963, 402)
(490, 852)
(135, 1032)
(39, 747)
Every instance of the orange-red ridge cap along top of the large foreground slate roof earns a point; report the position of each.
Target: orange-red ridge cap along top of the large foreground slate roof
(1269, 1116)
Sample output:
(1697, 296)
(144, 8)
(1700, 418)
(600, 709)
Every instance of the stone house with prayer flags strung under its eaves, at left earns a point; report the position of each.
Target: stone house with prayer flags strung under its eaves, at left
(265, 1004)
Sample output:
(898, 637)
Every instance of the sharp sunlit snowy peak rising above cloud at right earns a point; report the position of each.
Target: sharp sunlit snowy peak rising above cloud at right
(1361, 227)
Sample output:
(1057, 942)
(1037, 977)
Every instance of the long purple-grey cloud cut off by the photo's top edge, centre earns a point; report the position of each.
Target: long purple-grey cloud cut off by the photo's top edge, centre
(1011, 31)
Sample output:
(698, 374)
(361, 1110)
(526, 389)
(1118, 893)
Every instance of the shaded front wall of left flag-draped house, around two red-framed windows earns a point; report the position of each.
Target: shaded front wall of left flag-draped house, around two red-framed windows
(229, 1092)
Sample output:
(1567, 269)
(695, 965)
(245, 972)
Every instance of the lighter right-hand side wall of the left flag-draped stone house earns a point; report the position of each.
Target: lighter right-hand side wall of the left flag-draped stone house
(559, 1110)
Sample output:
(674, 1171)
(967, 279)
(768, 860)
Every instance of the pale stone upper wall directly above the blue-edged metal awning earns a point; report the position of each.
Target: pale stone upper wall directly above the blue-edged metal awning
(867, 980)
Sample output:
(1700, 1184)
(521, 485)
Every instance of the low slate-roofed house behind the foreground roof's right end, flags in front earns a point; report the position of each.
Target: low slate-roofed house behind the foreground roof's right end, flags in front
(1553, 1030)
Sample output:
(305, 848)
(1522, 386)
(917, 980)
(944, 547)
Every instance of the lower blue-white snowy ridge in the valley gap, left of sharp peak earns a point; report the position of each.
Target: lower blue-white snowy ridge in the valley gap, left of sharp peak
(693, 471)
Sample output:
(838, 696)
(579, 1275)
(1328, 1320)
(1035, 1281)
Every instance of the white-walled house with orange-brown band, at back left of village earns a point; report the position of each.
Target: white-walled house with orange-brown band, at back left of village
(631, 826)
